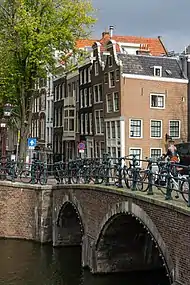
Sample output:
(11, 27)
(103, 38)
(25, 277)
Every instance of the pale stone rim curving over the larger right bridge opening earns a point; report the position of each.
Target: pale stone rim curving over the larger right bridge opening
(148, 224)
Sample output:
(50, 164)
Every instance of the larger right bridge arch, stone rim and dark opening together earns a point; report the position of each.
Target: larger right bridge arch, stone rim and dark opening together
(114, 244)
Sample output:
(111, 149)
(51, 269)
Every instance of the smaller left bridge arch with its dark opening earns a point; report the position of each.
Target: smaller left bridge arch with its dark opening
(70, 227)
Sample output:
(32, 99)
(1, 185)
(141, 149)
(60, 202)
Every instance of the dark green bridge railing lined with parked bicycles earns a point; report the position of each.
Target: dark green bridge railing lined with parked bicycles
(130, 172)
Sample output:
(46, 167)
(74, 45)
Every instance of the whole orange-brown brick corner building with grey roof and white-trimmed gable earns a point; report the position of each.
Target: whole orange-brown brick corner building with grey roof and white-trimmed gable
(150, 95)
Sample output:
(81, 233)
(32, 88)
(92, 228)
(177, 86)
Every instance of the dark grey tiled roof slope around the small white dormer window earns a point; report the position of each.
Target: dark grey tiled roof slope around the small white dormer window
(143, 65)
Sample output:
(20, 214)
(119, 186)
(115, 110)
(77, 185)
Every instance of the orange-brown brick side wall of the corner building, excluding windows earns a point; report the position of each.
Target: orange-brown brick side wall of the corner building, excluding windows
(135, 104)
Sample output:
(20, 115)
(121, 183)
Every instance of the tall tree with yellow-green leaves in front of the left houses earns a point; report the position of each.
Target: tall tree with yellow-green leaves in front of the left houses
(30, 32)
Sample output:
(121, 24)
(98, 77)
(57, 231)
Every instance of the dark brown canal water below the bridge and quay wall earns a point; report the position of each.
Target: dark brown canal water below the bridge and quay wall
(28, 263)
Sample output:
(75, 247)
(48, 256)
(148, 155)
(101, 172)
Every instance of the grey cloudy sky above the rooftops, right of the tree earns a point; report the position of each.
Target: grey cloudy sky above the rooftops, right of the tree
(149, 18)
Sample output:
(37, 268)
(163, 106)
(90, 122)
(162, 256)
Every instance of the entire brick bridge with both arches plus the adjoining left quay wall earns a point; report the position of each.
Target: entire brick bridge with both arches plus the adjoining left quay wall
(118, 230)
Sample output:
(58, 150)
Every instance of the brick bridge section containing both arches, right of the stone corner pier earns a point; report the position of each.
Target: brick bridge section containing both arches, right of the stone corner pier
(123, 231)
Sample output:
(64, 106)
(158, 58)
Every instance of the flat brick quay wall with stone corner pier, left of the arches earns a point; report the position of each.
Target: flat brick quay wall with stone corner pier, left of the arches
(25, 212)
